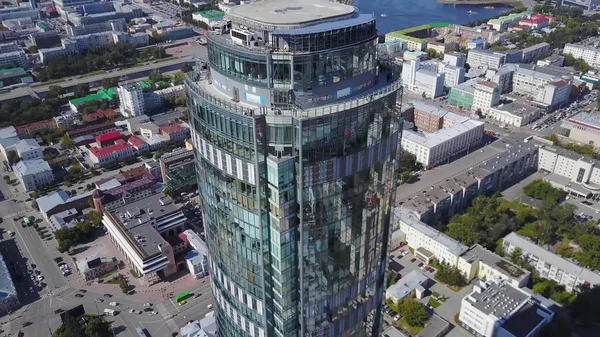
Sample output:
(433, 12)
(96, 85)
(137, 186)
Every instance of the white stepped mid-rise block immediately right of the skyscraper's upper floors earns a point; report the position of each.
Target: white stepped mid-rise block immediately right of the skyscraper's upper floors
(422, 81)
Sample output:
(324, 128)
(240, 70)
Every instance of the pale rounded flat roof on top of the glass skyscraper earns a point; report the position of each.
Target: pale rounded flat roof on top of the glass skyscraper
(286, 12)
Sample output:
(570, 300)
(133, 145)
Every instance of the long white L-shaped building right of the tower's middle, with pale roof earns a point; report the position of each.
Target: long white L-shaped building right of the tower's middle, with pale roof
(439, 147)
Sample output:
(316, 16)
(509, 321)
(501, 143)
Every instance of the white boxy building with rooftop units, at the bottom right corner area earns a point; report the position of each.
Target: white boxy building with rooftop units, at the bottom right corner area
(495, 308)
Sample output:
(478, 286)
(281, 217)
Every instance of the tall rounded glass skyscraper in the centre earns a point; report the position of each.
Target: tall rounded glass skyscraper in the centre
(296, 131)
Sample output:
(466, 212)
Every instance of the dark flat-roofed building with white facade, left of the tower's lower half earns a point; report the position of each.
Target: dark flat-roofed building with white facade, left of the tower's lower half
(142, 230)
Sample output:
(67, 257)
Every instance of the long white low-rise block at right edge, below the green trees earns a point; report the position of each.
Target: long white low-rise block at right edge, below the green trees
(550, 265)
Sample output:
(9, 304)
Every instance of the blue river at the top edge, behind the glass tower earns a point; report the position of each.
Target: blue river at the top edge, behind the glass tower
(408, 13)
